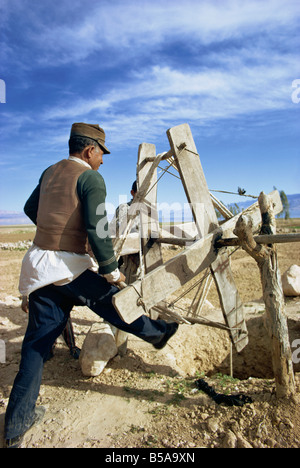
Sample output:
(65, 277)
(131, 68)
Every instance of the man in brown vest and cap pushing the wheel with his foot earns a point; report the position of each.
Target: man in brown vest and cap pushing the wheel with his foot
(58, 272)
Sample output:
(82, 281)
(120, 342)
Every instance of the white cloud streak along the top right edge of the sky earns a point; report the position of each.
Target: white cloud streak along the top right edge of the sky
(127, 23)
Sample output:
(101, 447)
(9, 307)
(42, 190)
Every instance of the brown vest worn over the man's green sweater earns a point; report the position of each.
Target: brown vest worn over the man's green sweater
(60, 224)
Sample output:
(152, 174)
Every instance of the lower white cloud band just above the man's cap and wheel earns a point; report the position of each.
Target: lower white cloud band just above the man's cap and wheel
(162, 92)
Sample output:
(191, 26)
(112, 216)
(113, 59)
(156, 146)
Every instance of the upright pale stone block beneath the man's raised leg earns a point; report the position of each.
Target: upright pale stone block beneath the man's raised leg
(98, 349)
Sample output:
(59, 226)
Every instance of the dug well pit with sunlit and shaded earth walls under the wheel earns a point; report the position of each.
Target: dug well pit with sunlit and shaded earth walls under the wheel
(204, 350)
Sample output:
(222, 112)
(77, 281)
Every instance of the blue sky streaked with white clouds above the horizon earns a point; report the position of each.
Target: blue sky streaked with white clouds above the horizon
(140, 67)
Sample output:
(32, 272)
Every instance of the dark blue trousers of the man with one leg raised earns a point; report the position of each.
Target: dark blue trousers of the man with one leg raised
(49, 310)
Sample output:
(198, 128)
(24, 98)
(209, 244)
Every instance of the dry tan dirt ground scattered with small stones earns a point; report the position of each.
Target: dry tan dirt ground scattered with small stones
(147, 398)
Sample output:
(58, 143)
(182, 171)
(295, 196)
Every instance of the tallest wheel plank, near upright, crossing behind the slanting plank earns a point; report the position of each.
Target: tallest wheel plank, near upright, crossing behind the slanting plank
(195, 185)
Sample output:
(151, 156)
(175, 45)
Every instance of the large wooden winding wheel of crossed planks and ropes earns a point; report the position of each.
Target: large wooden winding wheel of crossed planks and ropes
(202, 257)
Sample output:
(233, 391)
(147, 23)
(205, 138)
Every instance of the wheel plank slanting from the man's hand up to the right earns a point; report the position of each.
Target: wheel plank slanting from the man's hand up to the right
(172, 275)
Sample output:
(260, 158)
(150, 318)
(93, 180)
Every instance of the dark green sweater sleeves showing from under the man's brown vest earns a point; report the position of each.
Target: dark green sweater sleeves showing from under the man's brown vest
(91, 191)
